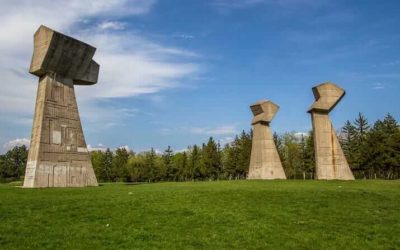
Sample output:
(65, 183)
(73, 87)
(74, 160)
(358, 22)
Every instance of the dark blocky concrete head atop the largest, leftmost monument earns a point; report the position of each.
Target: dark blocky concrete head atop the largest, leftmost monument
(64, 56)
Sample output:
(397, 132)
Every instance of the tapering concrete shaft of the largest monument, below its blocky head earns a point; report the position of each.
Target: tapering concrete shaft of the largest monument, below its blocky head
(58, 156)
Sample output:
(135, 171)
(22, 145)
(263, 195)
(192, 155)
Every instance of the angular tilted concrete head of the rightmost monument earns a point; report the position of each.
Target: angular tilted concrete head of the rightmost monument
(327, 95)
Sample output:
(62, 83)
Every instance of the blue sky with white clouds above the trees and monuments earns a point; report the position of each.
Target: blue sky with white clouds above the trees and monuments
(175, 72)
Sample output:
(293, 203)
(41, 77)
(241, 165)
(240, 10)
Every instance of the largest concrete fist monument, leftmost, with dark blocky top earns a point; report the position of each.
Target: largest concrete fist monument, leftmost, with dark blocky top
(58, 156)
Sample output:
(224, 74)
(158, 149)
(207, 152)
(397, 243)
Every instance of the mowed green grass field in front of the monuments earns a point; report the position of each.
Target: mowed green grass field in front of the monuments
(204, 215)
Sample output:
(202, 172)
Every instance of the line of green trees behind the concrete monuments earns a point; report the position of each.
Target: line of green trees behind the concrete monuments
(372, 151)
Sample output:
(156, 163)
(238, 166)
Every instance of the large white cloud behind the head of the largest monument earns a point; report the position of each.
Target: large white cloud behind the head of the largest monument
(130, 64)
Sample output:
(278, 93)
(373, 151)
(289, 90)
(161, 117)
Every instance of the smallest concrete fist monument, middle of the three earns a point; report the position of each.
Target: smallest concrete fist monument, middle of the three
(264, 161)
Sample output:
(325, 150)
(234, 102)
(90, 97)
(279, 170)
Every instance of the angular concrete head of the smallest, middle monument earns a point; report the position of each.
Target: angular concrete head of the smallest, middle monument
(263, 111)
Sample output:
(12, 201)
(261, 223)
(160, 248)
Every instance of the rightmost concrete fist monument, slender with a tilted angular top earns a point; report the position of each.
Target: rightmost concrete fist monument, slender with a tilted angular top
(330, 160)
